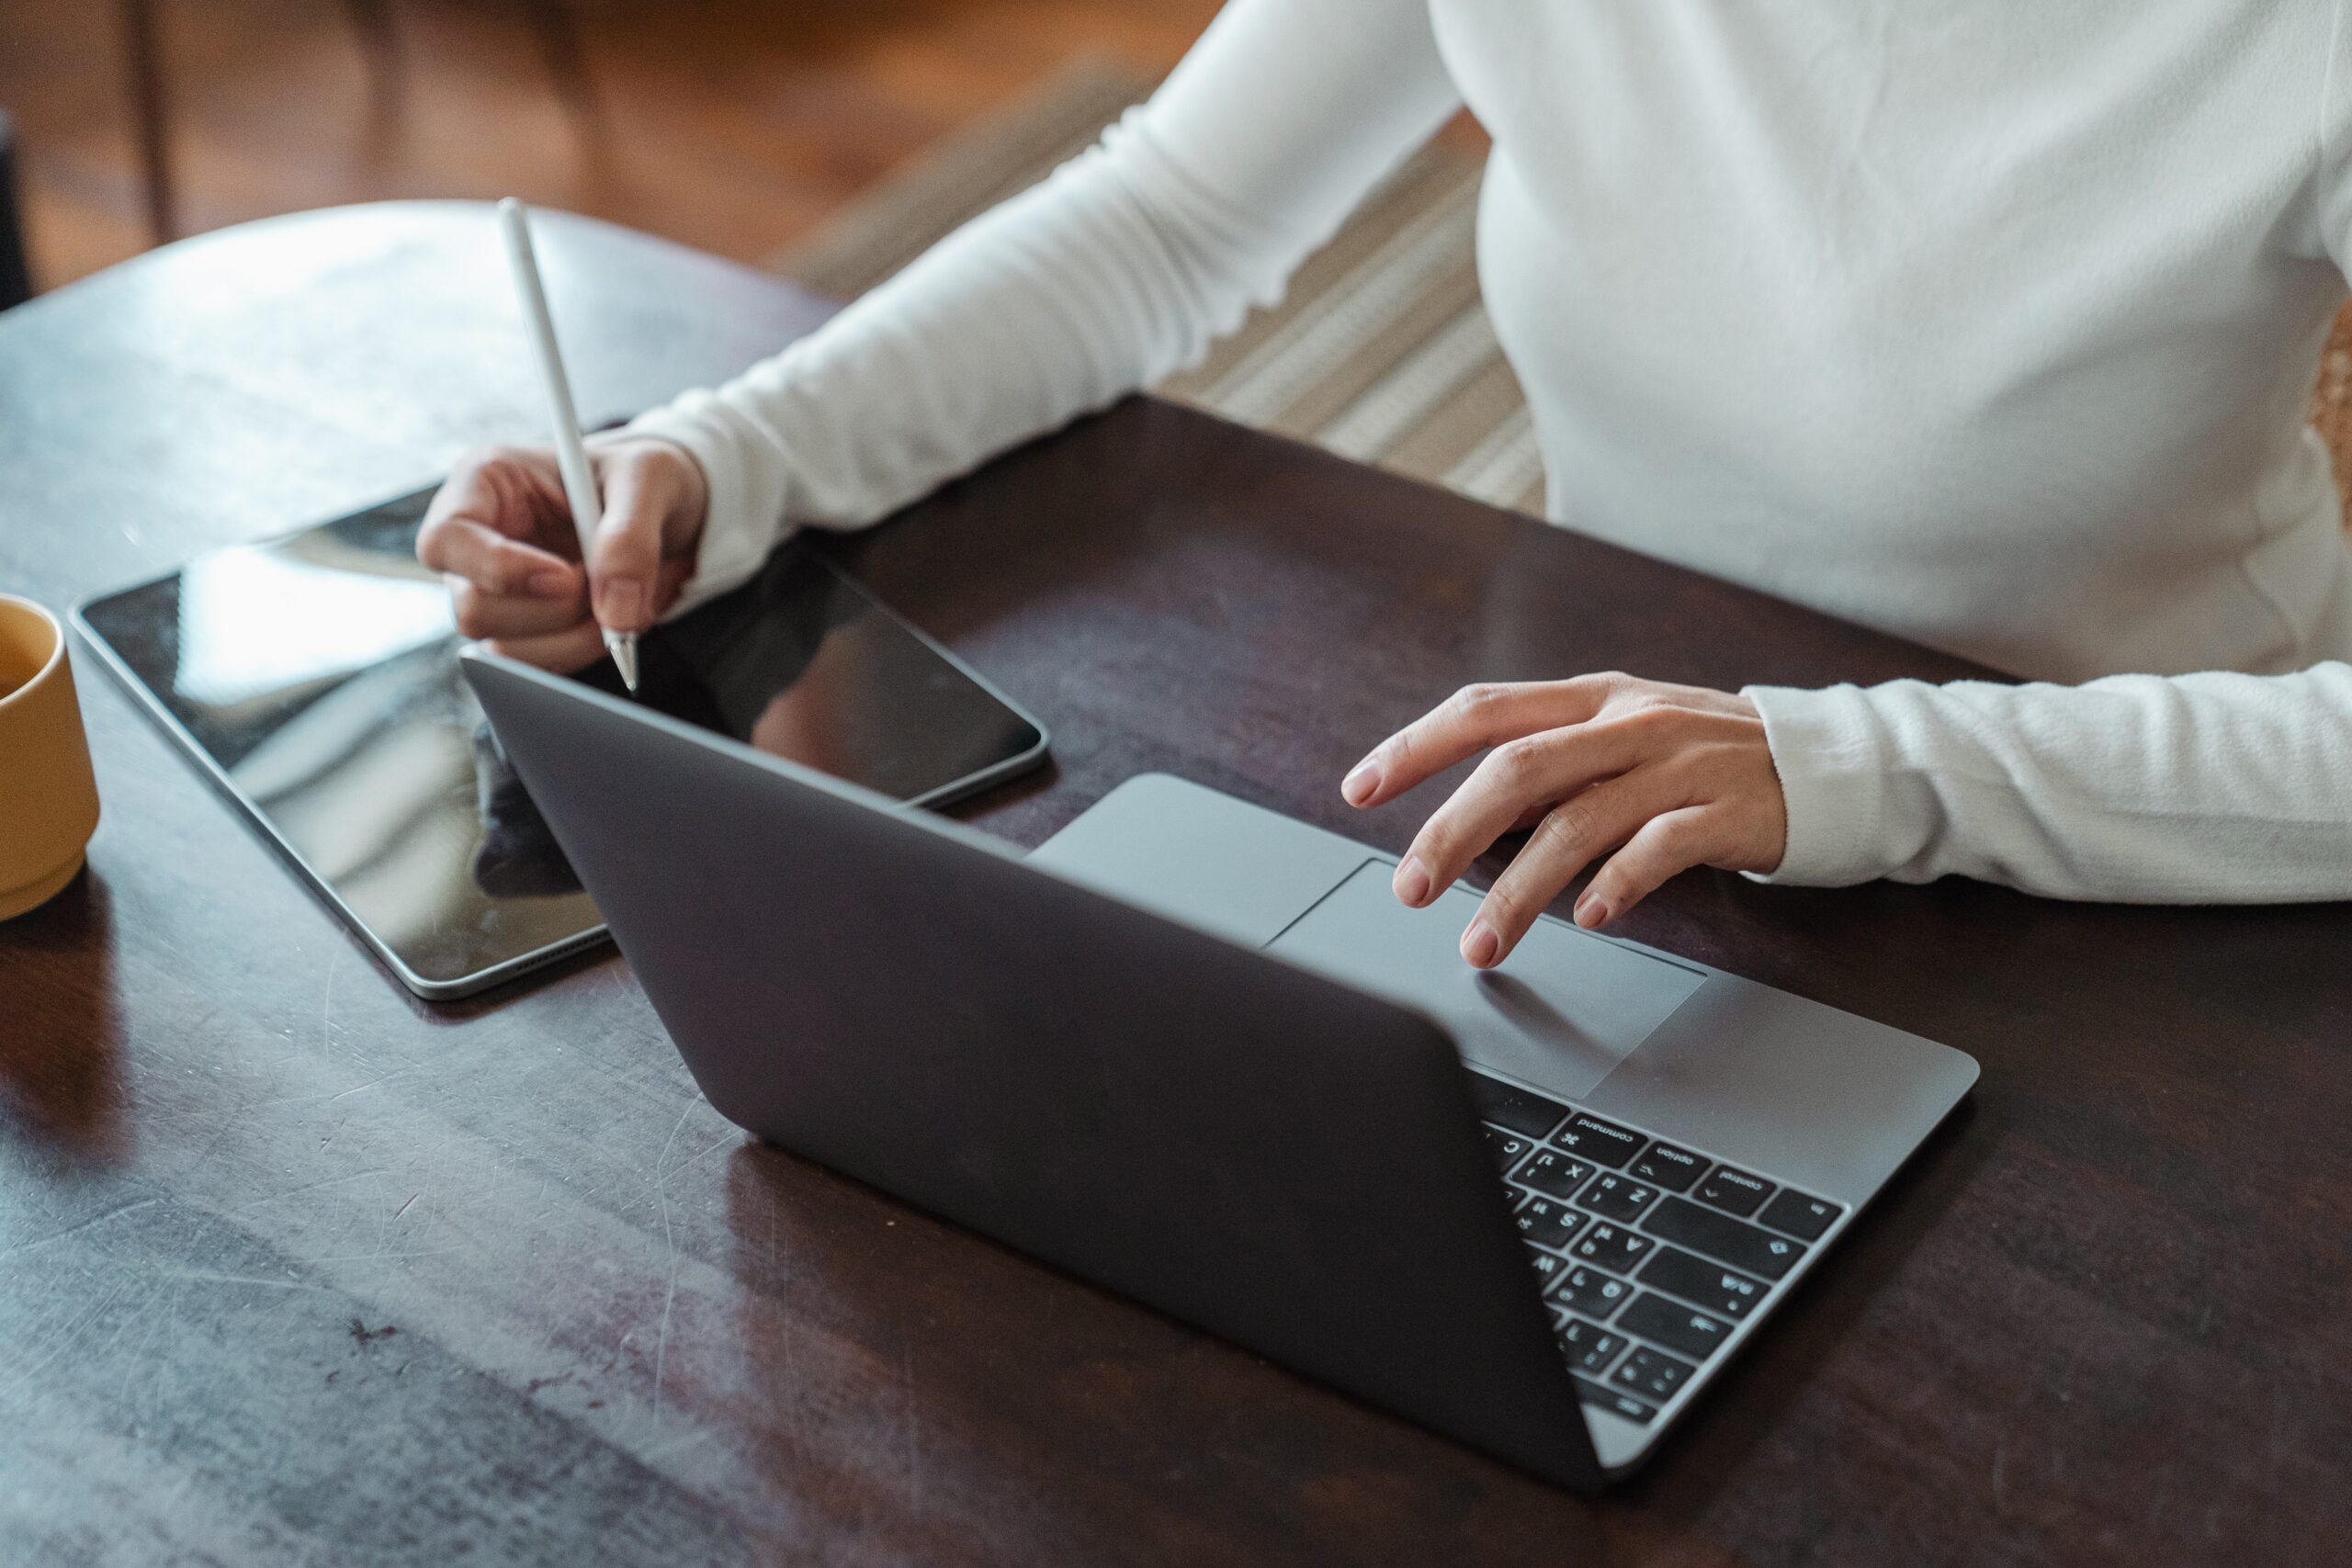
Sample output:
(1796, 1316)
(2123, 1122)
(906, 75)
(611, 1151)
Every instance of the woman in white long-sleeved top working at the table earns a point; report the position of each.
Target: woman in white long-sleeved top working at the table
(1989, 323)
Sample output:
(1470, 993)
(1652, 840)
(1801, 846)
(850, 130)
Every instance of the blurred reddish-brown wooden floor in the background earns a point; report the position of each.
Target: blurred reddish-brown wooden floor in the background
(723, 123)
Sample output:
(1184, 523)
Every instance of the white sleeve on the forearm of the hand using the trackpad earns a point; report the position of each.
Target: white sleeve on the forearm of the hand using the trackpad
(2181, 789)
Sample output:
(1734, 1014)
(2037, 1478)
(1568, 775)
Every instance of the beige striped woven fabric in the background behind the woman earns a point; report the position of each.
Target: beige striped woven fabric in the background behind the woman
(1382, 349)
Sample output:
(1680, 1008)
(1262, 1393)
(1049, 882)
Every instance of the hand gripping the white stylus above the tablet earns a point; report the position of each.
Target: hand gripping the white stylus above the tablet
(502, 532)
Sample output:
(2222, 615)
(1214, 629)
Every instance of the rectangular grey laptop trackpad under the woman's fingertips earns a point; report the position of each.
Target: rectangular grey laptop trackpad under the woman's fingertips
(1561, 1012)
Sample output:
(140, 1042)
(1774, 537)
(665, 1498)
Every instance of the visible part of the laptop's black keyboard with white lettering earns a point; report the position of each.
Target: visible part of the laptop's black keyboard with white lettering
(1650, 1254)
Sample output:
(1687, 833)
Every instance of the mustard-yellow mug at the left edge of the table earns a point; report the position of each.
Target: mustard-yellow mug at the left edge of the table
(48, 796)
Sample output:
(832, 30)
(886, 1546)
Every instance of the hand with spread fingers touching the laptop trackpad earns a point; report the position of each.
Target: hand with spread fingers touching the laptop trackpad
(1666, 777)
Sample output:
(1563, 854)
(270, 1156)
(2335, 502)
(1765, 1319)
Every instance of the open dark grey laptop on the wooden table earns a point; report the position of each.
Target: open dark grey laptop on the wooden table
(1196, 1052)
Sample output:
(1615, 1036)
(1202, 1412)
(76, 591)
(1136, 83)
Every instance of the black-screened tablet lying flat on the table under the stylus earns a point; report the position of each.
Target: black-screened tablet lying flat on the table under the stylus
(316, 683)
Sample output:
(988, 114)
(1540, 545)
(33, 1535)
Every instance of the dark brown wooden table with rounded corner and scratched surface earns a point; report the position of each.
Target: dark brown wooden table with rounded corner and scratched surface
(295, 1268)
